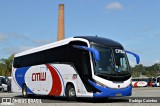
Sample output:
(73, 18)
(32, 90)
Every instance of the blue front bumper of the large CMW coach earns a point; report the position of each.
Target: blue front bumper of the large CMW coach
(109, 92)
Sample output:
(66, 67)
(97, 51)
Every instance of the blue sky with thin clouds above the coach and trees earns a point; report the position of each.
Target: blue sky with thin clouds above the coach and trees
(25, 24)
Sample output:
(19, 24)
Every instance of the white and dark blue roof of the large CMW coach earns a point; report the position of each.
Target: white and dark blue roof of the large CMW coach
(94, 39)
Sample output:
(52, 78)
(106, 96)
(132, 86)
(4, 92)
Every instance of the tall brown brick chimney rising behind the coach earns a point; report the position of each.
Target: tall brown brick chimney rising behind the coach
(60, 35)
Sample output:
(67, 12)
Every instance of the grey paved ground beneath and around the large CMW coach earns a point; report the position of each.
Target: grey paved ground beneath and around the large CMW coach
(152, 94)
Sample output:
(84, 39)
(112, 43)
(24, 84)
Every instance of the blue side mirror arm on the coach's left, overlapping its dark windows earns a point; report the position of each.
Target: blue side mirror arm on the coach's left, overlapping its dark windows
(94, 51)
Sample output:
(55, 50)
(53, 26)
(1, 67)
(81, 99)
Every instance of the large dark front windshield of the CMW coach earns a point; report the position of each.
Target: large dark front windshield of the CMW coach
(113, 61)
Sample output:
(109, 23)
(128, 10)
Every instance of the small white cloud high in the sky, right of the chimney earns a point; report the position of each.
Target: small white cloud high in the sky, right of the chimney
(114, 6)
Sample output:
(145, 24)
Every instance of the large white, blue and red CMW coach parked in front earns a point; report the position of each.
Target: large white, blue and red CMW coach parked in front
(82, 66)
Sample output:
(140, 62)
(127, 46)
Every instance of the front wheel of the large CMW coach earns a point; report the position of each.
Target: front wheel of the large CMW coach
(70, 93)
